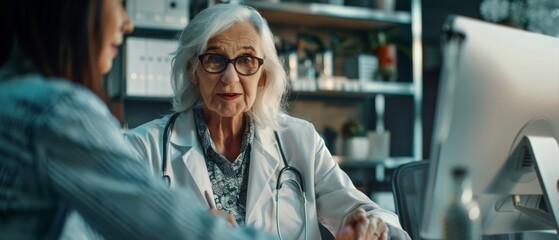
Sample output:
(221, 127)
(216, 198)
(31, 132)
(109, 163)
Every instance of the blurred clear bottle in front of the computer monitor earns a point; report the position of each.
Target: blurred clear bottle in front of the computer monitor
(462, 217)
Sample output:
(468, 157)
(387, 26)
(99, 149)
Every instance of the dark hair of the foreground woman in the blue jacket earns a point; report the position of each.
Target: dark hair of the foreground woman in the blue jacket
(62, 38)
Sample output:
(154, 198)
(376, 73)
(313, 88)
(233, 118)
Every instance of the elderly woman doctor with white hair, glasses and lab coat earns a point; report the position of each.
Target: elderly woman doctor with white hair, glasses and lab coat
(230, 137)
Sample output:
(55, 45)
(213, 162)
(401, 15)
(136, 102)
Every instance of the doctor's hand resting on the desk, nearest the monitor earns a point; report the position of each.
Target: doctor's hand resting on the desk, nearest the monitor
(360, 225)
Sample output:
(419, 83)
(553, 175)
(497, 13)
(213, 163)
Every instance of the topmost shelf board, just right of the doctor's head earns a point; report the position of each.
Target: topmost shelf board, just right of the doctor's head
(328, 16)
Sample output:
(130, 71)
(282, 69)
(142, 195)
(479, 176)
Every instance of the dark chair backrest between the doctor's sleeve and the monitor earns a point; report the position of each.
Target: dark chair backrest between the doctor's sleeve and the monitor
(408, 186)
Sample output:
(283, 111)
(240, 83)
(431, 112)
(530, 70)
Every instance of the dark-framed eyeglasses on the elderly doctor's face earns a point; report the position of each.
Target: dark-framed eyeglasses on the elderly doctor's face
(244, 65)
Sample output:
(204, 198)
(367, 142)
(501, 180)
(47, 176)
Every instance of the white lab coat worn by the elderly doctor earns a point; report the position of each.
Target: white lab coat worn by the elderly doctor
(330, 193)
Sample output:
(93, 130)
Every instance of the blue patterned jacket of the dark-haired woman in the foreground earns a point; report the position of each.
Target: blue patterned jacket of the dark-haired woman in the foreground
(62, 153)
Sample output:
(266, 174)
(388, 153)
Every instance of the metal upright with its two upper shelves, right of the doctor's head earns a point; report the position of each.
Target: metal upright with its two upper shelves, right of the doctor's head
(324, 16)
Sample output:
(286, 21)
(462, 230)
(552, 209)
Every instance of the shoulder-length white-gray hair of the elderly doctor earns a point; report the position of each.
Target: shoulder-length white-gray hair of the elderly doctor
(269, 102)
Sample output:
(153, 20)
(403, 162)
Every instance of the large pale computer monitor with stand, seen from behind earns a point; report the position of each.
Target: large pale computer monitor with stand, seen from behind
(497, 116)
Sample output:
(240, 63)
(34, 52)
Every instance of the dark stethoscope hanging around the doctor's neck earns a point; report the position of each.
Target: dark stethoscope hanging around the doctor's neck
(299, 184)
